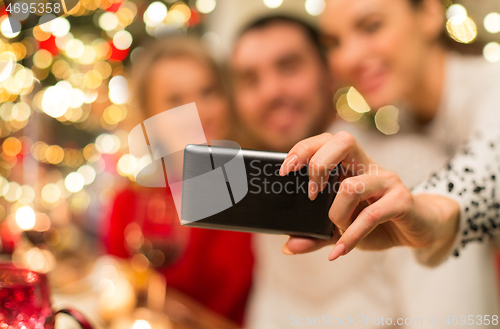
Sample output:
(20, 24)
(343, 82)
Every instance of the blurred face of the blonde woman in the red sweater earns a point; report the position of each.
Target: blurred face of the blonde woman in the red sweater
(182, 80)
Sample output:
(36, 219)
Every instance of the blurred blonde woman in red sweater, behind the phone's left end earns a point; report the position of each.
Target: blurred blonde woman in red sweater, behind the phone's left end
(213, 267)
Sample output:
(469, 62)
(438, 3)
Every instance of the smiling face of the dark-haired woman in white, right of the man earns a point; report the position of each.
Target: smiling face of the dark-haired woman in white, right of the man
(380, 46)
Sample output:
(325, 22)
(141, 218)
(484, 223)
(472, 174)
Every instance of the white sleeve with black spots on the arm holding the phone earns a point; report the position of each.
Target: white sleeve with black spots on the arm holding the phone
(472, 178)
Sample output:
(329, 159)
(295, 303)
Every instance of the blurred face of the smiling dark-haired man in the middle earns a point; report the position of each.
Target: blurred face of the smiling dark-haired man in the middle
(282, 89)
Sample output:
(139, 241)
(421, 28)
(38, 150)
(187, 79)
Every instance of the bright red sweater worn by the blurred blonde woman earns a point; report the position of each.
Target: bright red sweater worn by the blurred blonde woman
(215, 268)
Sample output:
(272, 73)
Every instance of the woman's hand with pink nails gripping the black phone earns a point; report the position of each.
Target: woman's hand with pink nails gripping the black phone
(373, 210)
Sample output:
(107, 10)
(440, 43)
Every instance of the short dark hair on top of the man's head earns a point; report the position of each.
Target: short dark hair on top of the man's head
(310, 32)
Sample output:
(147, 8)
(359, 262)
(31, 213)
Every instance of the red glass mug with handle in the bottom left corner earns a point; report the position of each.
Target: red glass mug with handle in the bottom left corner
(25, 300)
